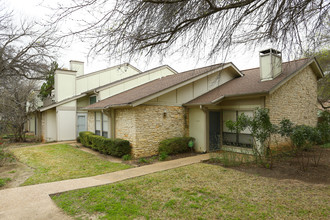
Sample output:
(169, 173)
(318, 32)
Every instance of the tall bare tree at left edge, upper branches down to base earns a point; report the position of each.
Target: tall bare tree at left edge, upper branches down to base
(26, 51)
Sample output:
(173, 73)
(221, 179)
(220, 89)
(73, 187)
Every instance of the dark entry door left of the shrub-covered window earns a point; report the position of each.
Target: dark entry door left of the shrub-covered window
(214, 131)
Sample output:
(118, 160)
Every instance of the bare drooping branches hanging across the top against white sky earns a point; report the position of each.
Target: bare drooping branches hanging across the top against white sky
(147, 27)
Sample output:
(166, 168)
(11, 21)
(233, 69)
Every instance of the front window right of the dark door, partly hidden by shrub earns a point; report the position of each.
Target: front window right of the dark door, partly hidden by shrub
(233, 138)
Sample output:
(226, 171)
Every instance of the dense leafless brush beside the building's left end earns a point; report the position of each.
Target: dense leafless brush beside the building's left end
(17, 100)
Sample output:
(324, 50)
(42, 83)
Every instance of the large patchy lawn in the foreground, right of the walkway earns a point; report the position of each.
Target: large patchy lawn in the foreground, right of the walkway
(199, 191)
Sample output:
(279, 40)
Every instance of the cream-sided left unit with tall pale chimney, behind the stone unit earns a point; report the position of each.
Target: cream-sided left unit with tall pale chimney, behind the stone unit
(63, 117)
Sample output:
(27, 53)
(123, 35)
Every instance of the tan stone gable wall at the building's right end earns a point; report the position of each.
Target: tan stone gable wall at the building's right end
(295, 100)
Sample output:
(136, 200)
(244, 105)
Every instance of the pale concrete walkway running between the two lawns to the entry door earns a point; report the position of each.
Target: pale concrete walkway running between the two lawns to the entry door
(34, 202)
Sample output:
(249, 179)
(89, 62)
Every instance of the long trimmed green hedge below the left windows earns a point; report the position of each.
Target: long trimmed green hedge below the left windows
(114, 147)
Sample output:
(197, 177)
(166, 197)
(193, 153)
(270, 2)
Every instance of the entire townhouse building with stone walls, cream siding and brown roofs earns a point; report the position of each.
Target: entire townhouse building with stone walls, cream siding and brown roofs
(148, 107)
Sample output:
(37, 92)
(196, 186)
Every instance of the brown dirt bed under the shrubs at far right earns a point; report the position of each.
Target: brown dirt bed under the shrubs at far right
(302, 168)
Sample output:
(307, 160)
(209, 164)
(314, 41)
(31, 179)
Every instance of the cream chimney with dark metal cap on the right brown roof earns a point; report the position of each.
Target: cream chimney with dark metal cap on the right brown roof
(270, 64)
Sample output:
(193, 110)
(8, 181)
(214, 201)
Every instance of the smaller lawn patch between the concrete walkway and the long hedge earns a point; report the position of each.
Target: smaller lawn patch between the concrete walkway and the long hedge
(61, 162)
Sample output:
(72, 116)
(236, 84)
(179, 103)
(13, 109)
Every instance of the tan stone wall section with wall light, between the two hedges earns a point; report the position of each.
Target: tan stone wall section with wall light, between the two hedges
(146, 126)
